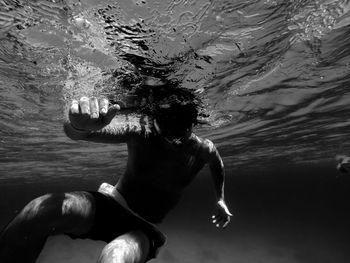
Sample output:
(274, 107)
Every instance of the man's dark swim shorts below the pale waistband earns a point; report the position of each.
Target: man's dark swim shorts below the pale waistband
(112, 220)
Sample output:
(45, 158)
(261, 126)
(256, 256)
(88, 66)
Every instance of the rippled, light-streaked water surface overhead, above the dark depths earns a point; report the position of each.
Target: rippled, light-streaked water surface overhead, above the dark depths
(274, 76)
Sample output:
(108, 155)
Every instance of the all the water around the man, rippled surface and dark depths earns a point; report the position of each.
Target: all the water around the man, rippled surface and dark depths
(274, 76)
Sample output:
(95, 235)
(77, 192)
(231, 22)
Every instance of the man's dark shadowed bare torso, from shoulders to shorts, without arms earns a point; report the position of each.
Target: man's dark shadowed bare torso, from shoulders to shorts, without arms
(157, 172)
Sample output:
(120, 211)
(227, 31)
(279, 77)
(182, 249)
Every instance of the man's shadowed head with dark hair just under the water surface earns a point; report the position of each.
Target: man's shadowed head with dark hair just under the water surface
(174, 109)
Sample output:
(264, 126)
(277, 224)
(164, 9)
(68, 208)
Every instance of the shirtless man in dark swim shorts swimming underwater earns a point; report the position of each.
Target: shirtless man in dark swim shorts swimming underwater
(164, 158)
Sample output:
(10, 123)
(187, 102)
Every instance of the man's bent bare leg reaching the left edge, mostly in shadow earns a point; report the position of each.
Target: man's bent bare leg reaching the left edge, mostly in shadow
(23, 239)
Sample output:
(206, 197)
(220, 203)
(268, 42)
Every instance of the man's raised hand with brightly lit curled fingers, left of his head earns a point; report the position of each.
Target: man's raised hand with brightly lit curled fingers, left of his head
(91, 114)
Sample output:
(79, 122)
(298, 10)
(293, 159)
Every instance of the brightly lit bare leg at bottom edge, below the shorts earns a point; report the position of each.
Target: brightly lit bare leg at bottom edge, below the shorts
(132, 247)
